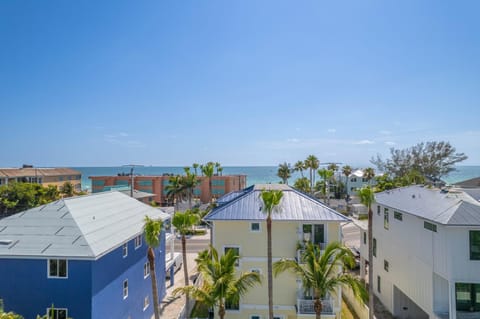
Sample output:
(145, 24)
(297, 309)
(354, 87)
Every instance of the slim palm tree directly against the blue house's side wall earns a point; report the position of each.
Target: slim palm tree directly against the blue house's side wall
(152, 230)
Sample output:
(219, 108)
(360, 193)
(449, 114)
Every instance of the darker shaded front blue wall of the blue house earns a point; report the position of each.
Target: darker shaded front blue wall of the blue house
(26, 289)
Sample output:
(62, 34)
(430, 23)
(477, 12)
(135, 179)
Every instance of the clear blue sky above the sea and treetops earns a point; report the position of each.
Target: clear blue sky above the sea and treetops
(105, 83)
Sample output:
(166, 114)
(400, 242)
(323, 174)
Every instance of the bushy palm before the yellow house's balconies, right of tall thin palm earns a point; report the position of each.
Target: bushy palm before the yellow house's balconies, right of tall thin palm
(323, 273)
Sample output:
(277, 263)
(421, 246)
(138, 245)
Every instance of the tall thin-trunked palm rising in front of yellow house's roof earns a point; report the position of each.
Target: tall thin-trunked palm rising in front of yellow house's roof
(271, 200)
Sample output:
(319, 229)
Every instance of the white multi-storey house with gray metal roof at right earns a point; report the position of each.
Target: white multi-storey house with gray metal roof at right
(427, 252)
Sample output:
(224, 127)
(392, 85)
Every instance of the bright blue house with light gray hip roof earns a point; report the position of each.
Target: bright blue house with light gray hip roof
(86, 256)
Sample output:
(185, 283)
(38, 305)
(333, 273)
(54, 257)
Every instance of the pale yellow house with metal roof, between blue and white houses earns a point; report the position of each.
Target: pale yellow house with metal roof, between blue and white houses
(239, 223)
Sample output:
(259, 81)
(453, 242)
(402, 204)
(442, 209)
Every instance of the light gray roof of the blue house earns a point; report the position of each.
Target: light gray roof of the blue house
(85, 227)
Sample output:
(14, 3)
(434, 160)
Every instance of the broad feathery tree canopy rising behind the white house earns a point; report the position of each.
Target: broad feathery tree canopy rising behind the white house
(431, 159)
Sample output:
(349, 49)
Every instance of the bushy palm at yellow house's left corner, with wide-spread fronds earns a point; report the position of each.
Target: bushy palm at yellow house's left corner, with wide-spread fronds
(221, 284)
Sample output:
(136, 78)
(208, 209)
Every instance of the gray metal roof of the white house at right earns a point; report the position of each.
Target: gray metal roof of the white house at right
(453, 207)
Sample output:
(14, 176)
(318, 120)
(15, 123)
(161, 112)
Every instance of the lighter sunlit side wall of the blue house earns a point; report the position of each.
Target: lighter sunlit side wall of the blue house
(109, 273)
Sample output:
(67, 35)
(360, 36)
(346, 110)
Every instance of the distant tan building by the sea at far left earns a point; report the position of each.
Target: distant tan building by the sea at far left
(42, 175)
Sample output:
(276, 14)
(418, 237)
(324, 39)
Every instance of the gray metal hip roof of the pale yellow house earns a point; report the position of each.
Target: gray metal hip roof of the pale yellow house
(295, 206)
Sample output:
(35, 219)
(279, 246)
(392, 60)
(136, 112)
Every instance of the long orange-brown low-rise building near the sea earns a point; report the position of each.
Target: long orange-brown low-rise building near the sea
(157, 185)
